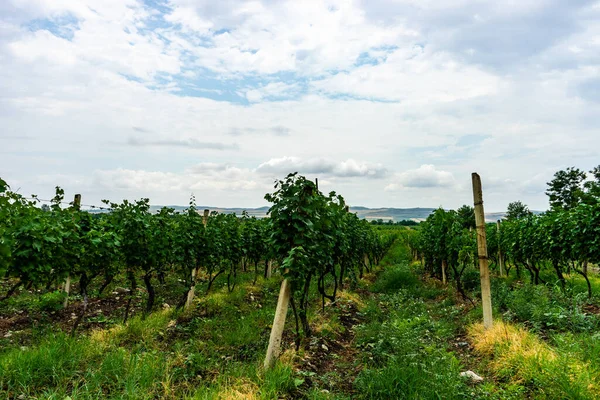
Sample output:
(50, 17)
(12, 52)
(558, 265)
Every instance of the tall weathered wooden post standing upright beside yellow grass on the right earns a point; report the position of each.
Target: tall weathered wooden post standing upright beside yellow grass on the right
(486, 298)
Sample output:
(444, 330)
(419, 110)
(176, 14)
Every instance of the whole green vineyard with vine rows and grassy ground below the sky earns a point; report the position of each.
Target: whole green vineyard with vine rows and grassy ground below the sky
(133, 304)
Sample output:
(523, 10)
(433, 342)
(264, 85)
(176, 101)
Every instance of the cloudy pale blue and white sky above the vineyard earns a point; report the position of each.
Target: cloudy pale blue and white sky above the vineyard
(390, 103)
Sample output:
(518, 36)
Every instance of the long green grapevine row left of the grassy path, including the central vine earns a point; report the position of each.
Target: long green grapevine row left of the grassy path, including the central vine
(316, 239)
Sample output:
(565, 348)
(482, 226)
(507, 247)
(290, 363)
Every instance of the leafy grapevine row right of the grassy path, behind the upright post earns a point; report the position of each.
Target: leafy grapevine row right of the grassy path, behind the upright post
(565, 239)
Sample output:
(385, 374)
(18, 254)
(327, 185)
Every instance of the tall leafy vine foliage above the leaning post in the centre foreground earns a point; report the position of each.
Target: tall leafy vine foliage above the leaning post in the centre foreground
(312, 233)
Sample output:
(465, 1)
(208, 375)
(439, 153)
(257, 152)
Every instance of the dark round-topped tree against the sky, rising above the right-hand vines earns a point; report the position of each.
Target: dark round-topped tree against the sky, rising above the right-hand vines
(565, 191)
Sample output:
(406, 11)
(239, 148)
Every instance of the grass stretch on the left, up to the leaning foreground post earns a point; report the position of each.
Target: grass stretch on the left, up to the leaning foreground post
(213, 351)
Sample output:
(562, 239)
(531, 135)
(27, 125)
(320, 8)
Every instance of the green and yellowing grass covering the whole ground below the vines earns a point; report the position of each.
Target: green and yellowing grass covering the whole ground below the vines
(411, 338)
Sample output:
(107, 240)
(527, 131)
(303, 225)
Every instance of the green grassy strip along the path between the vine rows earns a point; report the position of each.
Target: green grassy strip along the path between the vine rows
(402, 347)
